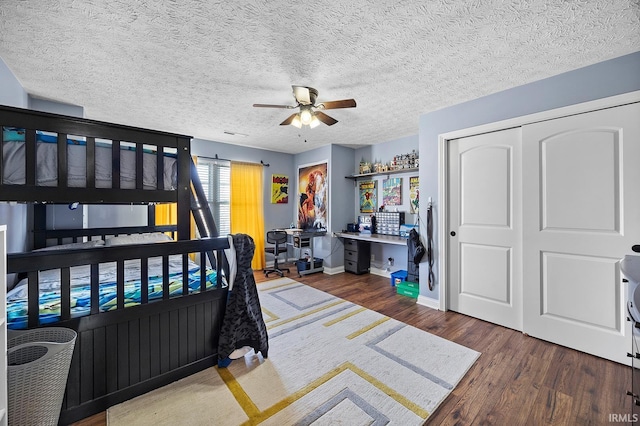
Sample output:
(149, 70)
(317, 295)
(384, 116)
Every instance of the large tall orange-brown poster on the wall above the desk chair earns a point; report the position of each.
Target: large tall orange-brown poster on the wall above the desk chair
(313, 197)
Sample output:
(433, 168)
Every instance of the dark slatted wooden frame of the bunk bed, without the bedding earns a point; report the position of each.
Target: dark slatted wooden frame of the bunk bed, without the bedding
(123, 353)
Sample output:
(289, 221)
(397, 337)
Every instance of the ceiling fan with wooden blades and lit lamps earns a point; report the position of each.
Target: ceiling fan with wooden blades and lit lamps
(310, 113)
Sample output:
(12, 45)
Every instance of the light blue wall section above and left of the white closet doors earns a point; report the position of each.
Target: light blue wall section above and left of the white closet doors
(609, 78)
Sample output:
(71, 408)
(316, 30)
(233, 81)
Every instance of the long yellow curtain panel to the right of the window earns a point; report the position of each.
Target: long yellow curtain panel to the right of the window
(247, 211)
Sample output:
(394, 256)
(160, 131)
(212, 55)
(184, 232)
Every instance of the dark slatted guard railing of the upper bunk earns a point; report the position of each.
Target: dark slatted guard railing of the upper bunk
(161, 143)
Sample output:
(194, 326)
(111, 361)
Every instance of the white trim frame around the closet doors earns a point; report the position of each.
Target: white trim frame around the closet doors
(443, 161)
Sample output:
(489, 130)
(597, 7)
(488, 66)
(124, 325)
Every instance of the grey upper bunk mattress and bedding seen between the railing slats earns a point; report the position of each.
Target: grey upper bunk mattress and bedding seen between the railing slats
(14, 170)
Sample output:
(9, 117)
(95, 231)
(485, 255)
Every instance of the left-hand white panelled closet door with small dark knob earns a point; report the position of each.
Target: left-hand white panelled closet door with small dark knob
(484, 250)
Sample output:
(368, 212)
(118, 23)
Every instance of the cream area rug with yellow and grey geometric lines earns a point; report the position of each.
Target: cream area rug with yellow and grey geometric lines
(330, 362)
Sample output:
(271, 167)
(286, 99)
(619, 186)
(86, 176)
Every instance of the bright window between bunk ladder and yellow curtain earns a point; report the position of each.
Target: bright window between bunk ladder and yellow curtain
(215, 176)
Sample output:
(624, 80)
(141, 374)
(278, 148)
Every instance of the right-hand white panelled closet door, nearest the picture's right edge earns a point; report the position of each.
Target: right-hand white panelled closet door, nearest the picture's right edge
(581, 179)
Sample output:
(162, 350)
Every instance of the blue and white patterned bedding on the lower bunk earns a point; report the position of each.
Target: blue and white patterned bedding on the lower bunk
(81, 289)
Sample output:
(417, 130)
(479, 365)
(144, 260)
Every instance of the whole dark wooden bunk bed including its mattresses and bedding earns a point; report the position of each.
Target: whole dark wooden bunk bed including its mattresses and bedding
(154, 329)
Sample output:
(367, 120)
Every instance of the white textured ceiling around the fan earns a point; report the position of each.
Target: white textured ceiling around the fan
(197, 66)
